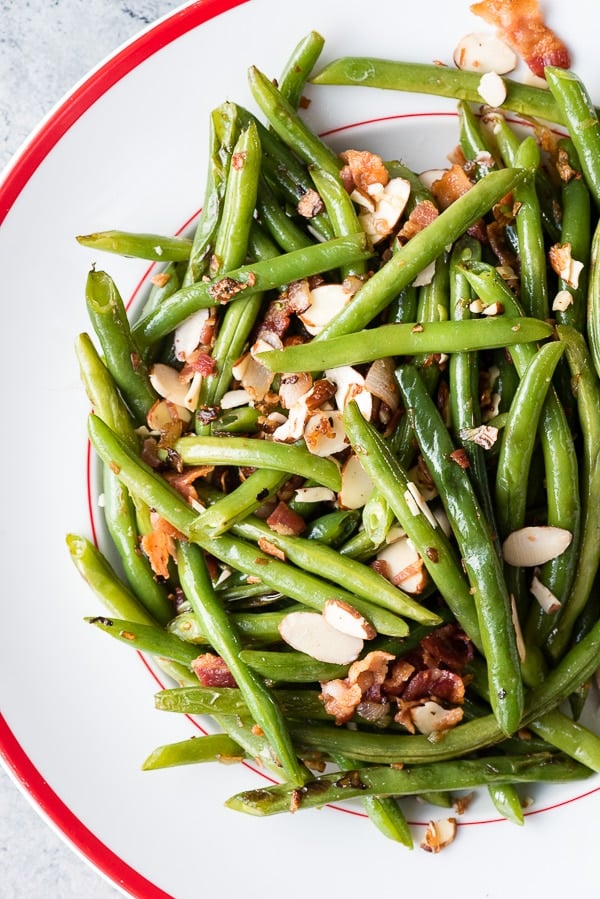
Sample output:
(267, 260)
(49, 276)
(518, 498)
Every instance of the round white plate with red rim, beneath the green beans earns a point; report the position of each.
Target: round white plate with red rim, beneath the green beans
(127, 149)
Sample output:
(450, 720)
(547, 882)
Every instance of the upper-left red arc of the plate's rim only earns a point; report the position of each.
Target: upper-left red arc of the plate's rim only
(83, 97)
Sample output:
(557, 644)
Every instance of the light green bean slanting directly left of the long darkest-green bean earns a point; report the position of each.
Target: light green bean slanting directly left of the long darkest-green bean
(437, 553)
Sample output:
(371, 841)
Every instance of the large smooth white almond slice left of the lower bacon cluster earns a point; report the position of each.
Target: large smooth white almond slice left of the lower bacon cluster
(310, 633)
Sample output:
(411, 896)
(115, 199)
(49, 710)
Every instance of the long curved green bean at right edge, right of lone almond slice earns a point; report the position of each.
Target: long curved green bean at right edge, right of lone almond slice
(587, 392)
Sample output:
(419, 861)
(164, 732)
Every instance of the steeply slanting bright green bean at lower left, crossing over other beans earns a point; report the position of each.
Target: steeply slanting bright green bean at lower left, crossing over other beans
(226, 642)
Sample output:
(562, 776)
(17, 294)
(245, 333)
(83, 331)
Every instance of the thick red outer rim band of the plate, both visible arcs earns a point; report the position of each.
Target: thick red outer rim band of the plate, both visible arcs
(31, 157)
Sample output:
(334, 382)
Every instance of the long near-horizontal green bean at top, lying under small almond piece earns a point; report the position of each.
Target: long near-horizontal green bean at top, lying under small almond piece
(441, 81)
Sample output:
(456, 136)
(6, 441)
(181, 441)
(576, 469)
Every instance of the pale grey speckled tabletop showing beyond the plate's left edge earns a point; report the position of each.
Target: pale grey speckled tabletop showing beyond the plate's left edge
(46, 46)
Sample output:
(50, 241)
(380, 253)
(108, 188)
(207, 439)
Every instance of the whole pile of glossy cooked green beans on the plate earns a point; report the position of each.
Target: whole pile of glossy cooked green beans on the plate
(528, 374)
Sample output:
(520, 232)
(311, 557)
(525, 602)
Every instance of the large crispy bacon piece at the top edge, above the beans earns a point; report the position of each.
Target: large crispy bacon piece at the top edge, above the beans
(521, 24)
